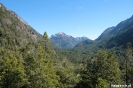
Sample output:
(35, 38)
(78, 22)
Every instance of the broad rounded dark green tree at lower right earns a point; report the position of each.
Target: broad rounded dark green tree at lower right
(106, 66)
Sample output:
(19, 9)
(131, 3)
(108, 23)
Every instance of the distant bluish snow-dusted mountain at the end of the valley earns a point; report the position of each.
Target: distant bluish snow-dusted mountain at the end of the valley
(65, 41)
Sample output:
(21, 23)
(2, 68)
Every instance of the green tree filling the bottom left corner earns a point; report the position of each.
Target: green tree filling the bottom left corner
(12, 73)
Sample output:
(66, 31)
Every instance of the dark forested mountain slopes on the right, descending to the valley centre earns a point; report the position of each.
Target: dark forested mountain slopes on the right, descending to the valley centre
(111, 37)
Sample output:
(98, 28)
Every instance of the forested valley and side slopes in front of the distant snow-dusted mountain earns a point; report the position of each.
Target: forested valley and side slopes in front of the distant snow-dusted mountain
(31, 60)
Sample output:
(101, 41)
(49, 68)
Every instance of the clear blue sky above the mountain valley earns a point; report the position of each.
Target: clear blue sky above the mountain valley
(74, 17)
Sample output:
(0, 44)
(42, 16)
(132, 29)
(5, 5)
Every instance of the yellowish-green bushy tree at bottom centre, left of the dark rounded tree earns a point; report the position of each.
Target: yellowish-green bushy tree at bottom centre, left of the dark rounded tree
(67, 73)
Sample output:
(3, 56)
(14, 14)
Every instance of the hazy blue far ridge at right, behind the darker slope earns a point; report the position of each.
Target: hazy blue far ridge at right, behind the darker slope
(112, 31)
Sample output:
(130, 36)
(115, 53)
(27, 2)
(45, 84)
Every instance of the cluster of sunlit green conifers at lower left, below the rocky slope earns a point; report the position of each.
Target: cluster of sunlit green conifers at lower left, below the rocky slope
(32, 68)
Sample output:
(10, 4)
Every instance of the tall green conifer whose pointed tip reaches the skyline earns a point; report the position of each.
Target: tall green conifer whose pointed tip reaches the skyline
(39, 67)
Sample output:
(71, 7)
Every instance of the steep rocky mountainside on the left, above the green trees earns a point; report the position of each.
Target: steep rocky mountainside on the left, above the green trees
(14, 30)
